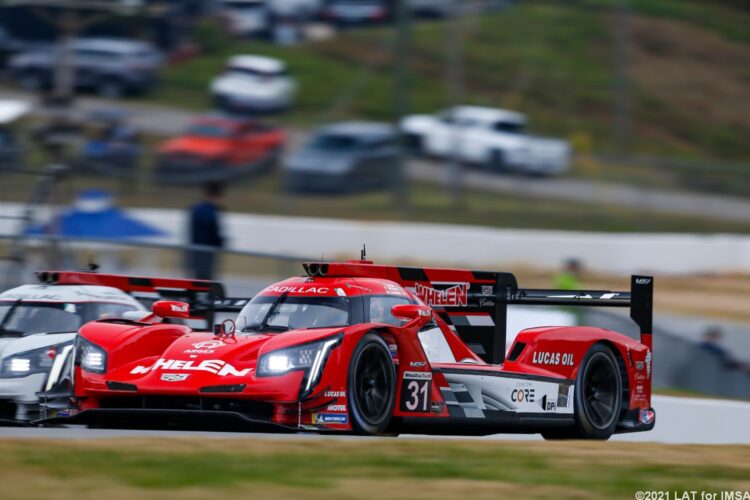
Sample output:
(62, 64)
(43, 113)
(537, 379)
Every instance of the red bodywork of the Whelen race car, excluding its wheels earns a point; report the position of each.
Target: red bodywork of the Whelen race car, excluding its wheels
(159, 367)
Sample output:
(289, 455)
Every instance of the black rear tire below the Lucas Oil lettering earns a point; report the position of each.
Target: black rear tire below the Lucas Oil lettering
(598, 397)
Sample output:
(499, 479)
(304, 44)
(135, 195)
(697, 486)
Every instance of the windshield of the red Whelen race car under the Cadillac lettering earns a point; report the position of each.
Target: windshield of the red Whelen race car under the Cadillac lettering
(280, 313)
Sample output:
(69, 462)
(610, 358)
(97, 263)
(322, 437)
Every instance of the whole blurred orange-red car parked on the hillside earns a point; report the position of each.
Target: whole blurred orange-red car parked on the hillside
(219, 148)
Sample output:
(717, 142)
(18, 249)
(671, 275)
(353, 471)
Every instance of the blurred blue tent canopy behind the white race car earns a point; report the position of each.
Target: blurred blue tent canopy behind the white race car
(93, 215)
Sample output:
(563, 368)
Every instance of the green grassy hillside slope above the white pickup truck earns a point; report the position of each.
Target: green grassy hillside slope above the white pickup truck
(553, 60)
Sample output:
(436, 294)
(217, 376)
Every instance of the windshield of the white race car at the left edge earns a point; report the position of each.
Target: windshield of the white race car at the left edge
(18, 319)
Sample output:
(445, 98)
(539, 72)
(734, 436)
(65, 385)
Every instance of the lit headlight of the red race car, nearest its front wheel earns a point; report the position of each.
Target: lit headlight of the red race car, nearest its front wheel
(308, 357)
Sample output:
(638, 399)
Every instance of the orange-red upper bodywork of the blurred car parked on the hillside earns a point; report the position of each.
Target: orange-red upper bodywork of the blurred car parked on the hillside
(225, 141)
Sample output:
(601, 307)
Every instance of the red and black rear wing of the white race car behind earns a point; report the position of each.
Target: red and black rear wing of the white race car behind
(204, 297)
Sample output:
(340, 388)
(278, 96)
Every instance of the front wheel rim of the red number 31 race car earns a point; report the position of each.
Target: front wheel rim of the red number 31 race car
(372, 384)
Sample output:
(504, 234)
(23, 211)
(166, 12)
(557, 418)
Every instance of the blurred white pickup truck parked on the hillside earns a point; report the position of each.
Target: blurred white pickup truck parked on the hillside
(495, 138)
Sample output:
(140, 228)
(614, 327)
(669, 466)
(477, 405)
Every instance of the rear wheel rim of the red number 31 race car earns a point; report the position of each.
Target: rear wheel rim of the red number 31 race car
(600, 391)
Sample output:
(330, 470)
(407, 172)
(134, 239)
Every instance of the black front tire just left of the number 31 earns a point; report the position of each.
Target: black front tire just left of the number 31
(372, 386)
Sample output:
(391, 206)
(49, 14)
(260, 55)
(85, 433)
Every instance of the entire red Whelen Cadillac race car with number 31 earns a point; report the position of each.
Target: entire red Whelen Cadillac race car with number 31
(370, 349)
